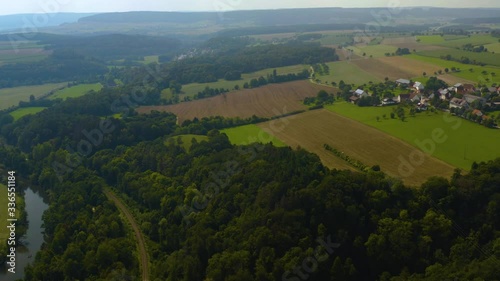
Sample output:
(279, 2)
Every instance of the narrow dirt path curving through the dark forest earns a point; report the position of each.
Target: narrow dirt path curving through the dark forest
(141, 244)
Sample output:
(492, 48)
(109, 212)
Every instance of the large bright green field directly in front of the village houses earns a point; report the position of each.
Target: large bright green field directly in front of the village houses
(465, 142)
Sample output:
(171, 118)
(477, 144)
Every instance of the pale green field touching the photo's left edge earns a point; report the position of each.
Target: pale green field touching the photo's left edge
(12, 96)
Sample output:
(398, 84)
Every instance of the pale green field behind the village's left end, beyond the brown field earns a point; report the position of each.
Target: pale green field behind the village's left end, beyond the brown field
(347, 71)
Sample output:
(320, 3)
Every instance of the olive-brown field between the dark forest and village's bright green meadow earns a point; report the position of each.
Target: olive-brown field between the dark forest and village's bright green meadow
(312, 129)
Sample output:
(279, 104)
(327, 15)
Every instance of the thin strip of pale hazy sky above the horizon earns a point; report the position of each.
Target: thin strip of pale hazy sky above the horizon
(42, 6)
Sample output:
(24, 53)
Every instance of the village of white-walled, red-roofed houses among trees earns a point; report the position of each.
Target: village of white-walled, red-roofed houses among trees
(464, 100)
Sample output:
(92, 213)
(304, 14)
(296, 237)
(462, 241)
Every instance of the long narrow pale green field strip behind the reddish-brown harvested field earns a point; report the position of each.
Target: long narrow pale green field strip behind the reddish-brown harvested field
(193, 88)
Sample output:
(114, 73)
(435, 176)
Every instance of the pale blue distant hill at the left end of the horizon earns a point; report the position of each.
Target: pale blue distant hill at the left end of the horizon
(19, 21)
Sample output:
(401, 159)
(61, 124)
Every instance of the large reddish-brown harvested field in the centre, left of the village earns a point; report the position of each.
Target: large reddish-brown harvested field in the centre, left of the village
(268, 101)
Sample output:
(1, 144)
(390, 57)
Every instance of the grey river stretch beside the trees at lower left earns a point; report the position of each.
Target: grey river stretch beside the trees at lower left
(32, 241)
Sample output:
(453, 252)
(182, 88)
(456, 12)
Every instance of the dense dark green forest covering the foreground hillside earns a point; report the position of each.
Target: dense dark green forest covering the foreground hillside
(245, 212)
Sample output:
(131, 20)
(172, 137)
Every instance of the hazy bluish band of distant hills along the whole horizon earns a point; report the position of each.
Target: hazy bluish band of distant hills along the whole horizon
(161, 23)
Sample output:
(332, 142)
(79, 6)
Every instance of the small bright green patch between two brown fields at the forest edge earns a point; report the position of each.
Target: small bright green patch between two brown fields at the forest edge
(250, 134)
